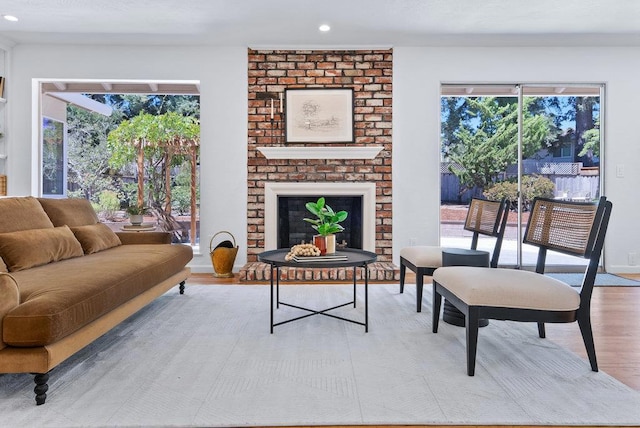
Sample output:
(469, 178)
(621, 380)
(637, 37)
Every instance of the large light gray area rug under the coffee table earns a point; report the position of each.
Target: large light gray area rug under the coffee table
(206, 358)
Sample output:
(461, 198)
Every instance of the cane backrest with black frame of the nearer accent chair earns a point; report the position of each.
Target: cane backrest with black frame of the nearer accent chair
(574, 228)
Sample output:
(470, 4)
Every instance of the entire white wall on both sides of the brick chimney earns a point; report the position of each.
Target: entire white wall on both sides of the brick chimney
(418, 73)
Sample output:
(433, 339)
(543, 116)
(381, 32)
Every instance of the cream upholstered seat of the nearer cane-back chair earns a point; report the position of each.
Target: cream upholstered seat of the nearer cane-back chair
(508, 288)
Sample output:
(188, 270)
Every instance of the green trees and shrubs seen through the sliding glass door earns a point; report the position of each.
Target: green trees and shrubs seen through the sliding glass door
(479, 138)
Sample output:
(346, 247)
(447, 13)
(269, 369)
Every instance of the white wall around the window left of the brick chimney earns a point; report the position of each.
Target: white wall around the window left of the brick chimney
(222, 73)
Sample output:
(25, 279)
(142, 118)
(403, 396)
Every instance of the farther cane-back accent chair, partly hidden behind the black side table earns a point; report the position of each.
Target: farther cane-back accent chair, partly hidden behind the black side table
(484, 217)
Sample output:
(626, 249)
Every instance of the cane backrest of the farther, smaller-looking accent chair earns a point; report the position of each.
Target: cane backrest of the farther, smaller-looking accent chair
(487, 218)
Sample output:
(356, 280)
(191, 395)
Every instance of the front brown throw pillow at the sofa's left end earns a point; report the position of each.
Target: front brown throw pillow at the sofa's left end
(28, 248)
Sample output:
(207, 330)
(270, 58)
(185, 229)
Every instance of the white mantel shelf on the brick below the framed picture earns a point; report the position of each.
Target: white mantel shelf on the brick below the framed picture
(321, 152)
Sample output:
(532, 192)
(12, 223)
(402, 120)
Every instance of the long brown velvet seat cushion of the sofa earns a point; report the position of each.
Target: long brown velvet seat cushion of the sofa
(60, 298)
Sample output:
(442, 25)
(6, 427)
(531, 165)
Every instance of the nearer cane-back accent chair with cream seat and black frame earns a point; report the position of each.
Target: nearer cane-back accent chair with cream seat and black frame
(573, 228)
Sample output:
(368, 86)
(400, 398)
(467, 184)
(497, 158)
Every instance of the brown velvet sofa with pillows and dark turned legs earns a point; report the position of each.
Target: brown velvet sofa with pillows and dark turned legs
(66, 279)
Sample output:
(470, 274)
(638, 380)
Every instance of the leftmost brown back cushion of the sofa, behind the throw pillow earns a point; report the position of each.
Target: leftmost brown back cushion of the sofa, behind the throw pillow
(21, 214)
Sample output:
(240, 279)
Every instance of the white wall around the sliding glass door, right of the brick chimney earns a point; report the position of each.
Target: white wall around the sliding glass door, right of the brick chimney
(417, 75)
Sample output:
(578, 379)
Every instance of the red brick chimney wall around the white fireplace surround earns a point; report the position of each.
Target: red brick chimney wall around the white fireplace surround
(369, 73)
